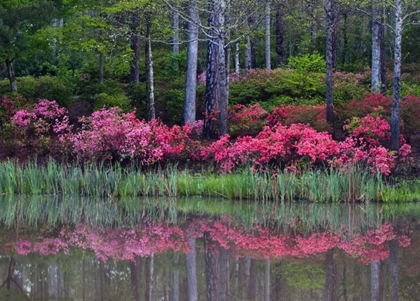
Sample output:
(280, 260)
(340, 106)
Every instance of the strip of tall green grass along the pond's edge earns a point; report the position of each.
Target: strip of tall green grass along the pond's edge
(114, 181)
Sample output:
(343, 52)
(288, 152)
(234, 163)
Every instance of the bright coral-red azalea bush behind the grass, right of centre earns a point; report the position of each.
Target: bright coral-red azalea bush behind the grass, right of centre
(281, 145)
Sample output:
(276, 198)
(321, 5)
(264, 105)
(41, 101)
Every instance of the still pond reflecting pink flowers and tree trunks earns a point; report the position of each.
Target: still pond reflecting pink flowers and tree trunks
(176, 249)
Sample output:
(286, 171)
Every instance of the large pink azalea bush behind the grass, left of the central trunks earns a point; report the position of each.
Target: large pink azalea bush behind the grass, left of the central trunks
(112, 134)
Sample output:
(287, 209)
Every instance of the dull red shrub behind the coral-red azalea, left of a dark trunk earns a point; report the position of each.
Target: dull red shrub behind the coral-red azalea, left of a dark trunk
(315, 116)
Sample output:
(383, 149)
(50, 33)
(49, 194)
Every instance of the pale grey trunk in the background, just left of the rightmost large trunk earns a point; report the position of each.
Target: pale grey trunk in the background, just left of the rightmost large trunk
(376, 48)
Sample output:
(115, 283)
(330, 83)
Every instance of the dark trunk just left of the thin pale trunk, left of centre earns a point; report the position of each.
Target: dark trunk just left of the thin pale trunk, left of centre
(135, 46)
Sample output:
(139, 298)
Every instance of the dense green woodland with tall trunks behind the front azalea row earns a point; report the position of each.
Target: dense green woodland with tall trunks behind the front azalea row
(221, 65)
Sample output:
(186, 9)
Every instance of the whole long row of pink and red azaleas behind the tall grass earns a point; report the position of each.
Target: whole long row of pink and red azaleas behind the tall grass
(111, 134)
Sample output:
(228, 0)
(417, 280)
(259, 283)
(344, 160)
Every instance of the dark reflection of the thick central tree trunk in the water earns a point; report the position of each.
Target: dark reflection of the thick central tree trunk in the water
(212, 269)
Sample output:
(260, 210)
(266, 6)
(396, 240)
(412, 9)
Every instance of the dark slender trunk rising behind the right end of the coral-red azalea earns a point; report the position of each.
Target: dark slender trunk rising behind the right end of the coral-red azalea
(330, 27)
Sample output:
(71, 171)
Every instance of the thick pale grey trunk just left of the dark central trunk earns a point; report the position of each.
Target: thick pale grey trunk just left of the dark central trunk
(189, 113)
